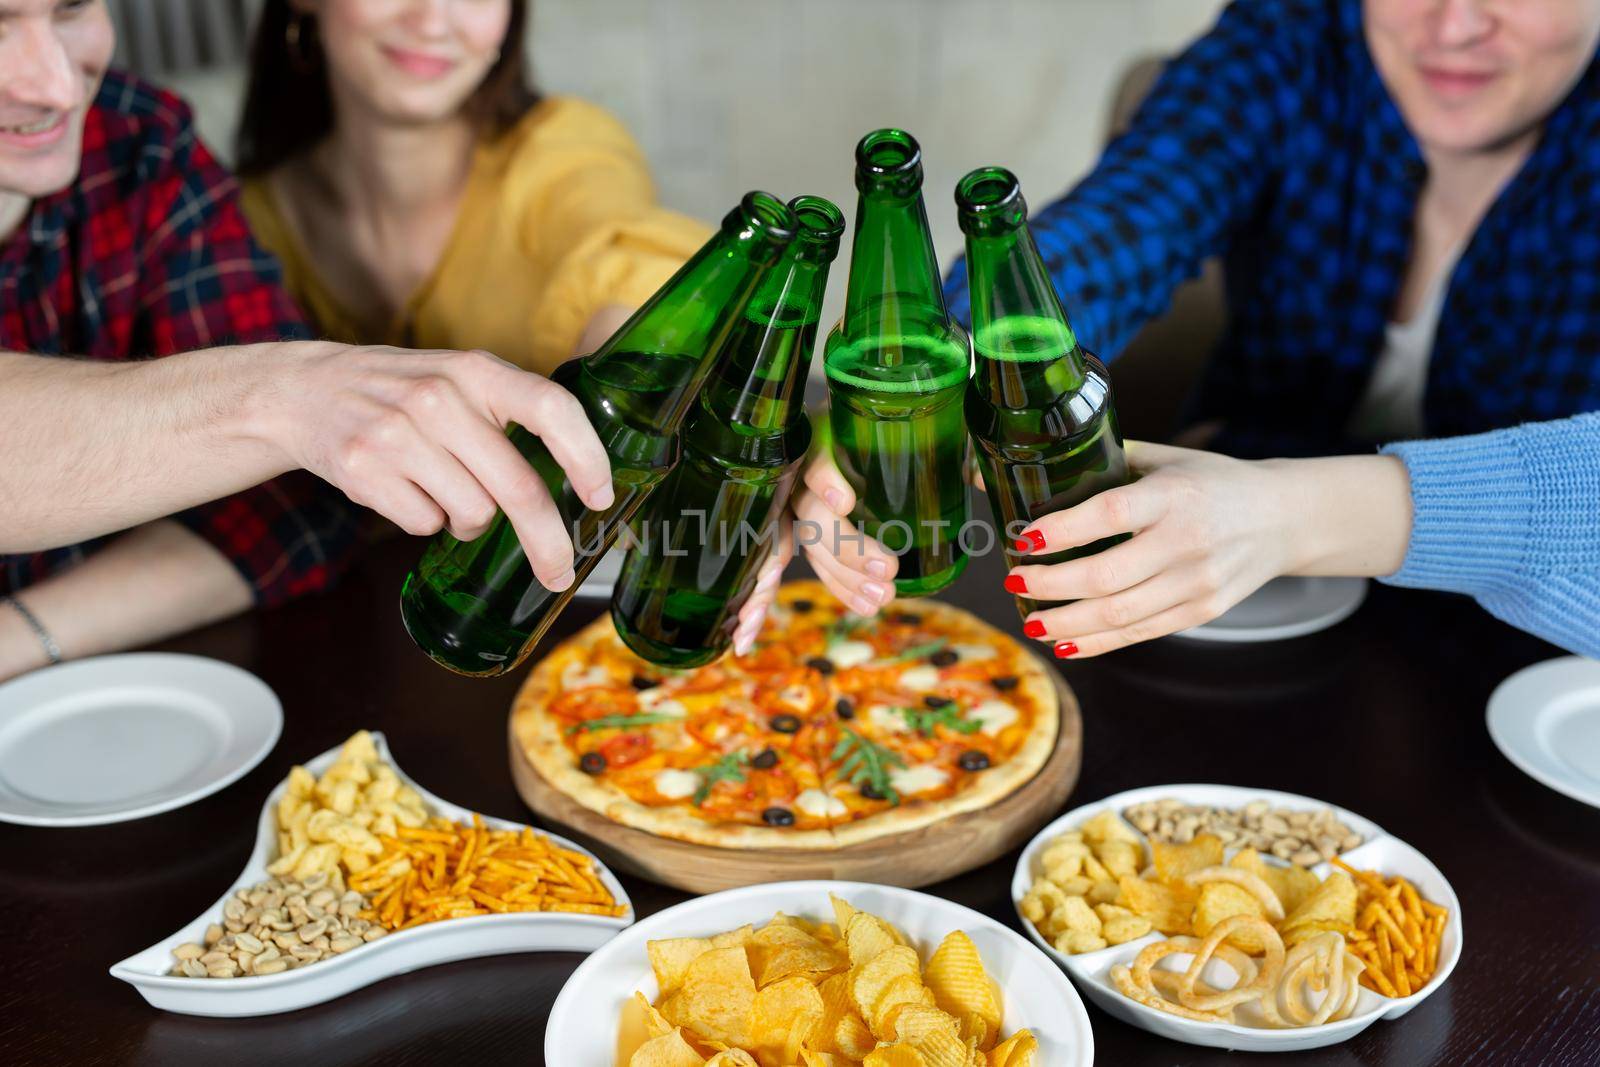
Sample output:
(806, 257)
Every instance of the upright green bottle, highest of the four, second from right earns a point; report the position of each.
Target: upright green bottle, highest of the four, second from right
(897, 372)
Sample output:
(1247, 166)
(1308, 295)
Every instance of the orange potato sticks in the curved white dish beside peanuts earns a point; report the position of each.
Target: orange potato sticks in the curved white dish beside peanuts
(450, 871)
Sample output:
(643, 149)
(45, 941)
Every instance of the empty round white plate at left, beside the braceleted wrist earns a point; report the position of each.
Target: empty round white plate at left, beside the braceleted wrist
(121, 738)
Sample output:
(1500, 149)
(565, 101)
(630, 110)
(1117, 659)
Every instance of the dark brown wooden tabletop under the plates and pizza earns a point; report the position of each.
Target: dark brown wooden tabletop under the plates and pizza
(1383, 714)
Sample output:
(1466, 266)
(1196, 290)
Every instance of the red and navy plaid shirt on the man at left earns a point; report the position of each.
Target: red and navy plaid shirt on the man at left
(143, 257)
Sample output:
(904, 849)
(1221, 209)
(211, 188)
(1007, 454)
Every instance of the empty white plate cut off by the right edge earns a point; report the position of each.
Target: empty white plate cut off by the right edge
(1546, 719)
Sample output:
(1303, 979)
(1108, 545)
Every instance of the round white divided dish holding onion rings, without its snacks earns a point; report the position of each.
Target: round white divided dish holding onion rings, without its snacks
(1380, 852)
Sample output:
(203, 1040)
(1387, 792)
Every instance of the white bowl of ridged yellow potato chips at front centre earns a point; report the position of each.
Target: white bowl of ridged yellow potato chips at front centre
(820, 975)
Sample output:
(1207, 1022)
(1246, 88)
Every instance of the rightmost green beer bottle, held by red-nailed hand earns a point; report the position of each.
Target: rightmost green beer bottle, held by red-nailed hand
(1039, 406)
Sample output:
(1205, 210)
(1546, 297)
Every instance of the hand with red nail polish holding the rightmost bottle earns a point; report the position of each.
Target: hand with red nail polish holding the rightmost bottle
(1209, 532)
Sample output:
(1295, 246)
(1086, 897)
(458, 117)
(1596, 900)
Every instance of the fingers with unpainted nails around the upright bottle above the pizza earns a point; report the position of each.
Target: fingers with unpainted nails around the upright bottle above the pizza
(854, 567)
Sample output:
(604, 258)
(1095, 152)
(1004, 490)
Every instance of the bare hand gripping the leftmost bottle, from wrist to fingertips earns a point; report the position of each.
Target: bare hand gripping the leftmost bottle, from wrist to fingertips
(420, 439)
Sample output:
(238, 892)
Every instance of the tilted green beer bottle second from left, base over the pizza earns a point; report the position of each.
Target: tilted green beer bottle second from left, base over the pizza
(713, 524)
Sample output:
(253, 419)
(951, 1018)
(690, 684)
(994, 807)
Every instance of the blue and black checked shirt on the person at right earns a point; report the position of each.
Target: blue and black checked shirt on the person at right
(1274, 143)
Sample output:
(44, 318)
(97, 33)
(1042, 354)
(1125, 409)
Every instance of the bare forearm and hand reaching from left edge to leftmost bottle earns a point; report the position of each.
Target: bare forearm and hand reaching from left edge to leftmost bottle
(417, 436)
